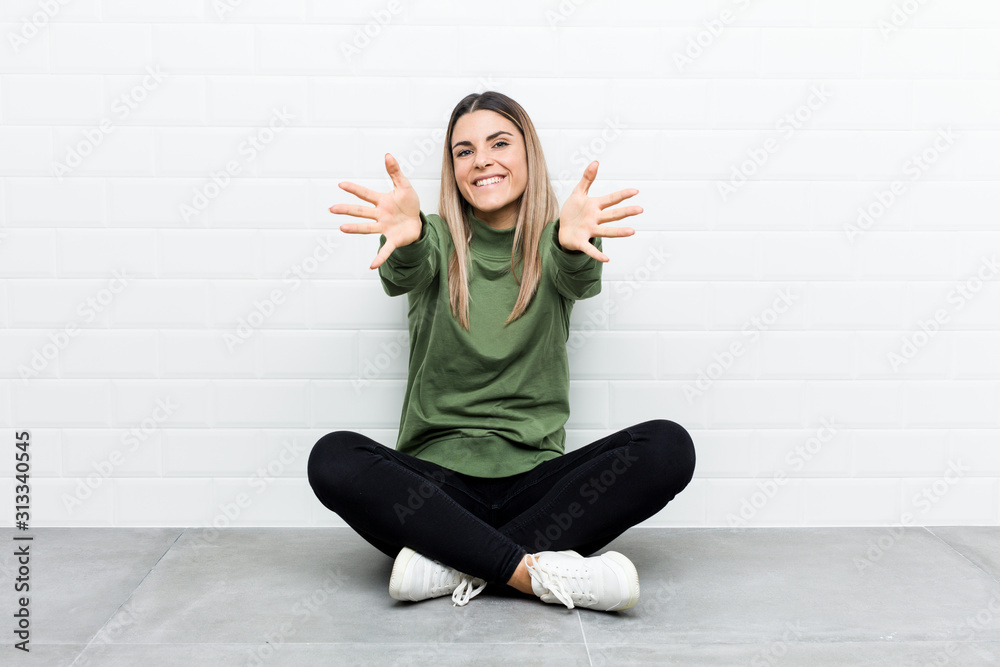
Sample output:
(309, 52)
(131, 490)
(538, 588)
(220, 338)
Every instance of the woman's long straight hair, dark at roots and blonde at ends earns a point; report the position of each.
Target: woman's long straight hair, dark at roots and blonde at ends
(537, 207)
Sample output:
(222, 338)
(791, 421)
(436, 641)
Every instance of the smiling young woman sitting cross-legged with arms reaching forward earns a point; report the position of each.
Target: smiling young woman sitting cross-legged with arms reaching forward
(478, 488)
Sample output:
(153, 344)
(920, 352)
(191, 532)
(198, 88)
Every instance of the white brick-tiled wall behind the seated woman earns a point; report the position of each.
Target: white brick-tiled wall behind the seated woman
(201, 144)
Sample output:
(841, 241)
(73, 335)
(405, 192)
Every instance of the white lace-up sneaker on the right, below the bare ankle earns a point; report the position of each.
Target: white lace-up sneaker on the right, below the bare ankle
(608, 582)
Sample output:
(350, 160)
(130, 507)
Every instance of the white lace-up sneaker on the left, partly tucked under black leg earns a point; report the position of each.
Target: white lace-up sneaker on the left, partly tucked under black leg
(415, 577)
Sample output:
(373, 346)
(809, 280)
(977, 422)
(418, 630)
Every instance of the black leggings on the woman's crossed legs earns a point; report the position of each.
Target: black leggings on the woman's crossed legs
(482, 526)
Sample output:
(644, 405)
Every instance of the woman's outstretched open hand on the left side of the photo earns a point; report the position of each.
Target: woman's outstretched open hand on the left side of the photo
(396, 214)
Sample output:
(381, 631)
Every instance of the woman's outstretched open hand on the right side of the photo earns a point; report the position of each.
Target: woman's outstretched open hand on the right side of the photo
(582, 216)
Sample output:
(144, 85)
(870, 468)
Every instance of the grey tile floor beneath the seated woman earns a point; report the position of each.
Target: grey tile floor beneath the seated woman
(319, 596)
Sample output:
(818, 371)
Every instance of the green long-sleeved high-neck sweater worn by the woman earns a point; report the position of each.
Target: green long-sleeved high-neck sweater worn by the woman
(491, 402)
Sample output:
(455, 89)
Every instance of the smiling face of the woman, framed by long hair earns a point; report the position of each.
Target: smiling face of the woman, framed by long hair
(484, 145)
